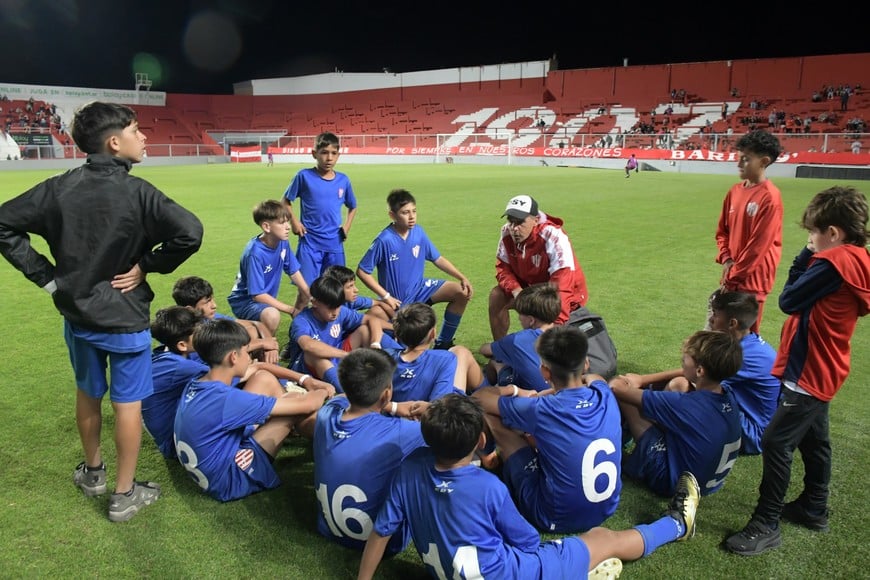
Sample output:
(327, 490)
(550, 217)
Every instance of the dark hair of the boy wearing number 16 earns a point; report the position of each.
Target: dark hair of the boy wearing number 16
(364, 374)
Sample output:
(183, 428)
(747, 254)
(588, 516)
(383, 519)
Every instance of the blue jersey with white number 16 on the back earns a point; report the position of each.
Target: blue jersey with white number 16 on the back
(354, 462)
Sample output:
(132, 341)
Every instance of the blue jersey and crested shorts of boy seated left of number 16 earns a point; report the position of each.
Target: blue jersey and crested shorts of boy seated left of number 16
(212, 438)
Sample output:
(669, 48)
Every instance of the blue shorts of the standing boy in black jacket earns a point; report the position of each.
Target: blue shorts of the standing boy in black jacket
(126, 355)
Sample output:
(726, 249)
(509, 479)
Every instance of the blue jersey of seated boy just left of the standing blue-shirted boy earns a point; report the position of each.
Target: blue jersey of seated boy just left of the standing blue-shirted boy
(260, 269)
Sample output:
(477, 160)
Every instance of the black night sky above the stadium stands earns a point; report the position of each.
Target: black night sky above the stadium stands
(205, 47)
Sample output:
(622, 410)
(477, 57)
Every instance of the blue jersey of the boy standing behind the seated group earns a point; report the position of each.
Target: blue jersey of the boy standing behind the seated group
(320, 203)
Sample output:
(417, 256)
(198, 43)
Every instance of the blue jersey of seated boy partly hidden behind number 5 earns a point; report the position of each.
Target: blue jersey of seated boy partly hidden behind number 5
(755, 390)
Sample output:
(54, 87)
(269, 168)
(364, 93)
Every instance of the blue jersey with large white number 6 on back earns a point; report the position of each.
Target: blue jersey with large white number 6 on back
(575, 483)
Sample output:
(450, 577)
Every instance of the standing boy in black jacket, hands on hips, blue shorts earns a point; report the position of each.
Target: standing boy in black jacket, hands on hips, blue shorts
(97, 282)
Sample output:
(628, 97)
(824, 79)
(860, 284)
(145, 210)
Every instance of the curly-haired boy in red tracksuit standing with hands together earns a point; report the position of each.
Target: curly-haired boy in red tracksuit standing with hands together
(749, 234)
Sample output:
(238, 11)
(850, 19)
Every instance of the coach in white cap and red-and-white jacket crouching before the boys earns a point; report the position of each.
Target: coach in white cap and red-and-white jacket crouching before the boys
(533, 249)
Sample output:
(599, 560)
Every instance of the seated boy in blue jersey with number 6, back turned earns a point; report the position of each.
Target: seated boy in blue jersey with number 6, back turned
(577, 433)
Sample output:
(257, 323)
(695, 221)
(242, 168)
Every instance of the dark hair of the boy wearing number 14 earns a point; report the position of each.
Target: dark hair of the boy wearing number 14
(452, 425)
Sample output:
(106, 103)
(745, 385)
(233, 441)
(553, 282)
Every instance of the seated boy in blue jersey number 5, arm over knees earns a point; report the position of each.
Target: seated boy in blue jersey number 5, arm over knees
(698, 431)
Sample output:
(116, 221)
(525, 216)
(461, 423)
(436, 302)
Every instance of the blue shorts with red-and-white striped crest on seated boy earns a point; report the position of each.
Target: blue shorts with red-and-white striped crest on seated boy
(251, 472)
